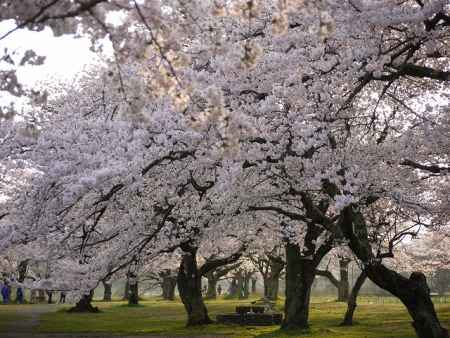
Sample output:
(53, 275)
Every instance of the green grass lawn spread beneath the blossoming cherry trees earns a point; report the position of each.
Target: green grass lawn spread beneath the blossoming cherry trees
(375, 318)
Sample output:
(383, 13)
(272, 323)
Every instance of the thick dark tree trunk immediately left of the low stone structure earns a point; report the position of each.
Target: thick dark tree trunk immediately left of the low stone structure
(189, 282)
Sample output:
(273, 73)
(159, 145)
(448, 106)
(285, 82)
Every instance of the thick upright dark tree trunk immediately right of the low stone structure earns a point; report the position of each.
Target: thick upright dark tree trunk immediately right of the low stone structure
(300, 273)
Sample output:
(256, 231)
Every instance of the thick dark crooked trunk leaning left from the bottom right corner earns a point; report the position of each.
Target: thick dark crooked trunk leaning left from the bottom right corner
(413, 291)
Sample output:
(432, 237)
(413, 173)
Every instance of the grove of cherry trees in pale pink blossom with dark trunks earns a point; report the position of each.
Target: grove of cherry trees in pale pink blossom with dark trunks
(270, 133)
